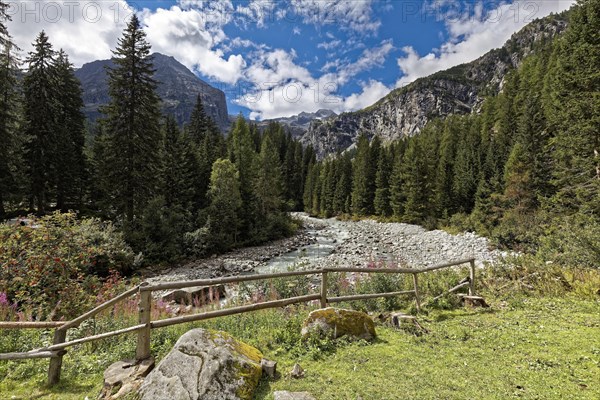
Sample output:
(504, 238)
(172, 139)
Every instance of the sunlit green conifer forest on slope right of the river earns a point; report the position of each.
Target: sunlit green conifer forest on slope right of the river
(526, 165)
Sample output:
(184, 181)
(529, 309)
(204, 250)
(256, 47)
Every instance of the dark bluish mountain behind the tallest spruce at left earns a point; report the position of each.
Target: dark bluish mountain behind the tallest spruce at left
(178, 88)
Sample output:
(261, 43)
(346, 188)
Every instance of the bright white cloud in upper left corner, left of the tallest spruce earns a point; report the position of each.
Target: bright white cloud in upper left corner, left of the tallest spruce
(86, 30)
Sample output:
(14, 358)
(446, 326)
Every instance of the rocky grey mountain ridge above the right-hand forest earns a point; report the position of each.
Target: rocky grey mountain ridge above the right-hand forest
(458, 90)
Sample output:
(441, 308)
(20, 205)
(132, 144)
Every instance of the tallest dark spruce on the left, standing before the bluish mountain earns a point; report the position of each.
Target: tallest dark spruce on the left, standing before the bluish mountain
(132, 124)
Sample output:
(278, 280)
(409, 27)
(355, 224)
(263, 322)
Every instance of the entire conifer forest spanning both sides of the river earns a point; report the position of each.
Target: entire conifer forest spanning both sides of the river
(527, 166)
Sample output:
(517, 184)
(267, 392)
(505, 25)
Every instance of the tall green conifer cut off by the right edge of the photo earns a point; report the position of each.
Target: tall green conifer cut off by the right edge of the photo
(575, 112)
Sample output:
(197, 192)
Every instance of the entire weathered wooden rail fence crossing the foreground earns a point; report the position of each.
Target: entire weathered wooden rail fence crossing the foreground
(144, 291)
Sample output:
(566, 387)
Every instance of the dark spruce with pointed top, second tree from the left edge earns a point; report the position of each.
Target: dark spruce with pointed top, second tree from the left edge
(40, 116)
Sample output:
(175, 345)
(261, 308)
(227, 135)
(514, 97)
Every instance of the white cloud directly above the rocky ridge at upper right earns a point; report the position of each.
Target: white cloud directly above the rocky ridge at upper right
(473, 35)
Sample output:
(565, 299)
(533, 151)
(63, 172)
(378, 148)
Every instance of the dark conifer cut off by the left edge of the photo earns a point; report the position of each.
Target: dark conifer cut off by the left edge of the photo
(11, 150)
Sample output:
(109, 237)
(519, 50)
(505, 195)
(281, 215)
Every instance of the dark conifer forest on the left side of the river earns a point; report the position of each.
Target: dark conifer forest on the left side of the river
(173, 192)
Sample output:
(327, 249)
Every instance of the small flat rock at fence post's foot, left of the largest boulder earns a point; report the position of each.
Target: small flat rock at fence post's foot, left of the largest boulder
(124, 377)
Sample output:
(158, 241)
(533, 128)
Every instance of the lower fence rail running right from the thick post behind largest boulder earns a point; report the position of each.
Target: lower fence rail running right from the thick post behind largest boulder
(235, 310)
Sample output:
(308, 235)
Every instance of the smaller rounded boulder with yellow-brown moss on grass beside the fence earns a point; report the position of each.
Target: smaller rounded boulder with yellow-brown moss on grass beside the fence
(335, 322)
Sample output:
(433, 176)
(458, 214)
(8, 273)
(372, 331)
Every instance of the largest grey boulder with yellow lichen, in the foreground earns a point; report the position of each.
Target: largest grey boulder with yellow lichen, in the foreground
(205, 365)
